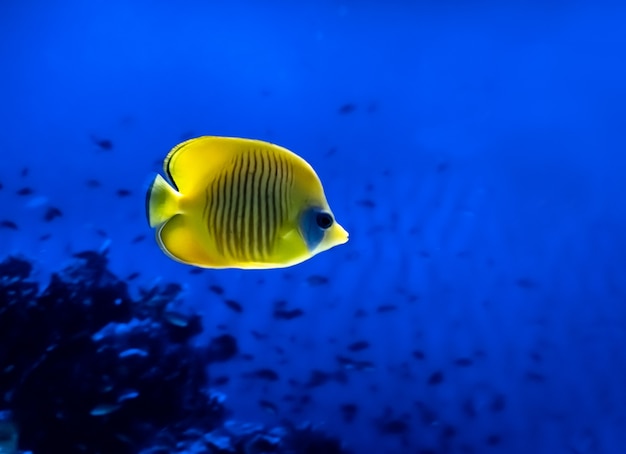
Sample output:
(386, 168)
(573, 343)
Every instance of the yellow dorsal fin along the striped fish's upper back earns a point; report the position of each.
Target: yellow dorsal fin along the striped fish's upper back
(191, 164)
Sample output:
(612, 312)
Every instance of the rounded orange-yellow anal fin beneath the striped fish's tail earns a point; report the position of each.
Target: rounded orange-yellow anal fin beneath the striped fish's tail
(181, 240)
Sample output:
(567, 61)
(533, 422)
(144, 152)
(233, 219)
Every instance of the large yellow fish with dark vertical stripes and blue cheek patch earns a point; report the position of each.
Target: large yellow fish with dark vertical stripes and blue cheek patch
(240, 203)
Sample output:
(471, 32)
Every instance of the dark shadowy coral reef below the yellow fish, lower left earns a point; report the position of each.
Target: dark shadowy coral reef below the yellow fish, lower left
(85, 368)
